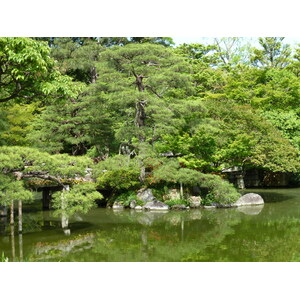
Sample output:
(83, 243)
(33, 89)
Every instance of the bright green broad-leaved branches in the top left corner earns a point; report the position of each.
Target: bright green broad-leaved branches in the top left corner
(28, 71)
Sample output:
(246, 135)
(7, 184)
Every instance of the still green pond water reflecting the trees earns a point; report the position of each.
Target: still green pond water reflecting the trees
(262, 233)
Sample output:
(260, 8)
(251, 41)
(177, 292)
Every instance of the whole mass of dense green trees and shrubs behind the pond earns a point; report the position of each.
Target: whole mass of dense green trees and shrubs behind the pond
(133, 112)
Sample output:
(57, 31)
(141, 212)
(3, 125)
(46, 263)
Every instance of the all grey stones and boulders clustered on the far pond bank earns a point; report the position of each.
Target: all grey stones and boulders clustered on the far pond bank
(150, 202)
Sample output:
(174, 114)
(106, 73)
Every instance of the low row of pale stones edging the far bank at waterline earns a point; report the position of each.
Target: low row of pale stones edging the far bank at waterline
(195, 202)
